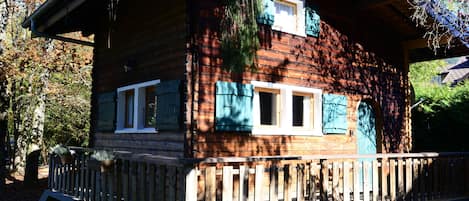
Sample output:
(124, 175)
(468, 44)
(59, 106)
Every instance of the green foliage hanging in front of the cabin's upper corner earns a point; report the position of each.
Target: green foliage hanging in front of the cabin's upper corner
(239, 39)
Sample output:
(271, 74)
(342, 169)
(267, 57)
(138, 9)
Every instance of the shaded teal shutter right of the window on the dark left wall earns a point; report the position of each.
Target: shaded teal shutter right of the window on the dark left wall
(168, 105)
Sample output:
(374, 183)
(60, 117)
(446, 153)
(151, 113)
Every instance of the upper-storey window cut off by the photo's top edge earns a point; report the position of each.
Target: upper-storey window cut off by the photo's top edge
(289, 17)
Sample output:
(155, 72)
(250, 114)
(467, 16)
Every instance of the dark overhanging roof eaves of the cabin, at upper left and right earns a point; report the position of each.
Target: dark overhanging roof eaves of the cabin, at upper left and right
(387, 20)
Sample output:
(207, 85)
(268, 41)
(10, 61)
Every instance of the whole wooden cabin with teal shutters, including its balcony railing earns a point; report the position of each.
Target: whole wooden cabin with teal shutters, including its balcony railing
(331, 78)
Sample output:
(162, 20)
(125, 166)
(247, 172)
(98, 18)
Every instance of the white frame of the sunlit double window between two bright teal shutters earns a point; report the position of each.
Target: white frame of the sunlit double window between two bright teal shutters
(285, 126)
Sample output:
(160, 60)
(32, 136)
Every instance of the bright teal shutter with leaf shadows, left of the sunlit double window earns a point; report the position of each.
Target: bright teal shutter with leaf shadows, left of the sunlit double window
(233, 106)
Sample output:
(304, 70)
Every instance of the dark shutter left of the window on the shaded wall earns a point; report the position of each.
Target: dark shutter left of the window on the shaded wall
(106, 112)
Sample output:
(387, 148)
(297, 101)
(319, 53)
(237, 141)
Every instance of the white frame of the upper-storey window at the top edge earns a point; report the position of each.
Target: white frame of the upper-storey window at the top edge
(300, 18)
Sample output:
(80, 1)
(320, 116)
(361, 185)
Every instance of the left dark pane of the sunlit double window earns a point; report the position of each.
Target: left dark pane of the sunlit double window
(268, 108)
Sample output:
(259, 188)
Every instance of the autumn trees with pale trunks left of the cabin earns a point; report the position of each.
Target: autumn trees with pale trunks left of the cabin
(40, 77)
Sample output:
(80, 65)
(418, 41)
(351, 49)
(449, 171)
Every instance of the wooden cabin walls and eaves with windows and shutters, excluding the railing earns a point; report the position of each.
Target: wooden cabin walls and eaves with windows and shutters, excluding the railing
(160, 87)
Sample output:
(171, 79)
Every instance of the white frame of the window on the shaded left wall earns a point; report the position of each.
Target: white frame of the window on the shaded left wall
(139, 108)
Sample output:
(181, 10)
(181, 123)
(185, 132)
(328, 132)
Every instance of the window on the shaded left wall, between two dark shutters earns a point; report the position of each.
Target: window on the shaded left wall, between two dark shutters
(136, 108)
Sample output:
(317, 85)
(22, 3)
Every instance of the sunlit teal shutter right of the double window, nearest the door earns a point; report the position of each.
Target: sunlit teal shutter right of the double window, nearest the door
(334, 113)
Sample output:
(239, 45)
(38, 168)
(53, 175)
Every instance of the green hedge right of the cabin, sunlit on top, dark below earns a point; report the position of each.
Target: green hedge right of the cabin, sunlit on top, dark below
(441, 122)
